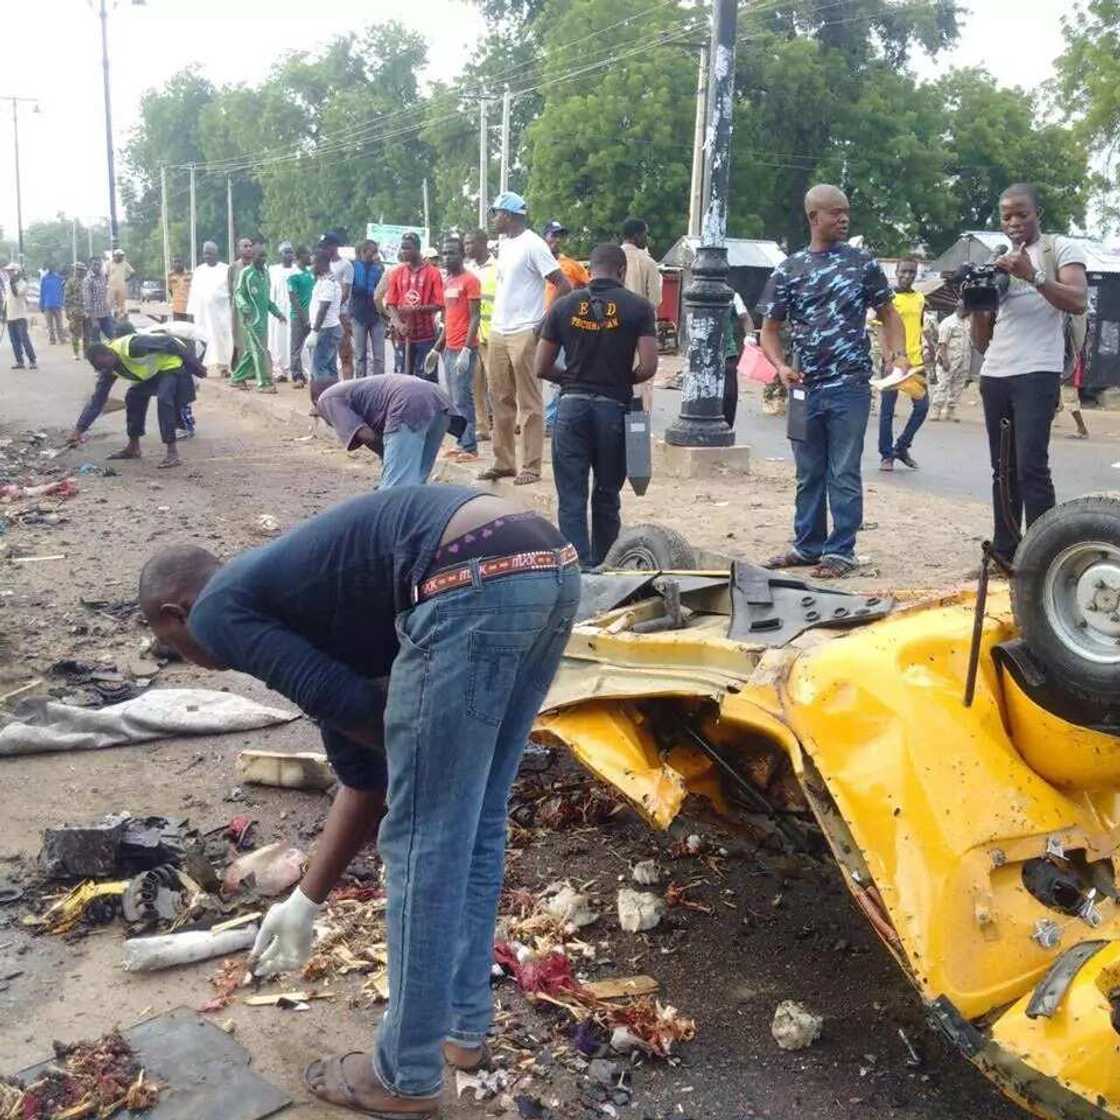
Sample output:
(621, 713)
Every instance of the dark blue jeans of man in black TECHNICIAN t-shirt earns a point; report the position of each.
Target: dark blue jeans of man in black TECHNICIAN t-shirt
(590, 437)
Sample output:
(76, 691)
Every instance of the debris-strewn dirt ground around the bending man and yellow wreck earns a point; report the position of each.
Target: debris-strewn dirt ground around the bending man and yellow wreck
(779, 929)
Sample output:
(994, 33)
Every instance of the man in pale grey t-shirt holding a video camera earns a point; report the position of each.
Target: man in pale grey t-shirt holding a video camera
(1024, 341)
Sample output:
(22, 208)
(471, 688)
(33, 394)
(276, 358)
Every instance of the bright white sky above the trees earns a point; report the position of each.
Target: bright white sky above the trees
(57, 58)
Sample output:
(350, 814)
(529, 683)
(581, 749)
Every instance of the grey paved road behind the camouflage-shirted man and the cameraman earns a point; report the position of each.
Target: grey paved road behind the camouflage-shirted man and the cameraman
(954, 458)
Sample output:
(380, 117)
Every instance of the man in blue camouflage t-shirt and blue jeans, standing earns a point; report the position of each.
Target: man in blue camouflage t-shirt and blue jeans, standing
(824, 294)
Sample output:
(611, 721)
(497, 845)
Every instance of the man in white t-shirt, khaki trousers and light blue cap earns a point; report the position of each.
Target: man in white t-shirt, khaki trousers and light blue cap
(526, 266)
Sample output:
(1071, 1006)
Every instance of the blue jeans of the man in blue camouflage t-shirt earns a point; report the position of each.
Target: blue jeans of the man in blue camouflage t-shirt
(829, 473)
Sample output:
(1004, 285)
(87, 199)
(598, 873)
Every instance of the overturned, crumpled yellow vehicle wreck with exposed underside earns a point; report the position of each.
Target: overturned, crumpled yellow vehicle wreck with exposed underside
(981, 842)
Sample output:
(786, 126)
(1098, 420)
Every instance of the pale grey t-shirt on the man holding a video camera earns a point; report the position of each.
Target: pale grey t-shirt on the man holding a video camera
(1030, 334)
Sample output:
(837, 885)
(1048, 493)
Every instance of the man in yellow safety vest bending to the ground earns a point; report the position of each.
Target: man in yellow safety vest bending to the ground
(155, 366)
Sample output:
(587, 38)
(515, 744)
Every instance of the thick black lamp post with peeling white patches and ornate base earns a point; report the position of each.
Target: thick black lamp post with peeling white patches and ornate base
(708, 297)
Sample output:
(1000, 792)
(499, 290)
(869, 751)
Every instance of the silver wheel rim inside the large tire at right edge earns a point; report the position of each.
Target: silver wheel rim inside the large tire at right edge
(1081, 601)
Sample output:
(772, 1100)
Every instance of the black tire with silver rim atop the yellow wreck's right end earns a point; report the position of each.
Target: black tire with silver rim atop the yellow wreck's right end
(1066, 595)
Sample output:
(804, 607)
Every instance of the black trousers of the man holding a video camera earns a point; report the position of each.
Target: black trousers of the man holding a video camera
(1030, 402)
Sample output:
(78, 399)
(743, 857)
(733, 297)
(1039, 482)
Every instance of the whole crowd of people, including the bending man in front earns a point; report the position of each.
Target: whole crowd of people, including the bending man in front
(421, 627)
